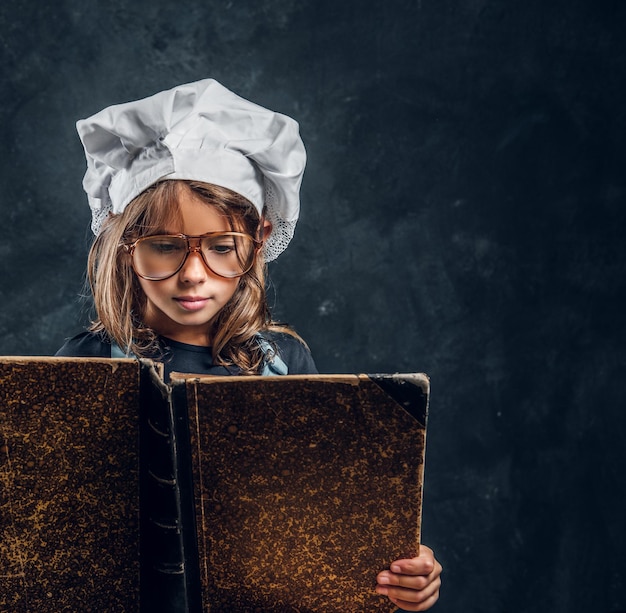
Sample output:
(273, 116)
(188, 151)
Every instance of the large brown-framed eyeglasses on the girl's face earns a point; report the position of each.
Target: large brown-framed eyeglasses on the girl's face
(227, 254)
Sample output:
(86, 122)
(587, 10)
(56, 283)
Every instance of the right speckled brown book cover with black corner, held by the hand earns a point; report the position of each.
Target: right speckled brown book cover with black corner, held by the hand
(305, 487)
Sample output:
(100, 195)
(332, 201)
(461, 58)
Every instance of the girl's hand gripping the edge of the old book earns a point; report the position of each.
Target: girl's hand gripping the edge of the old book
(412, 585)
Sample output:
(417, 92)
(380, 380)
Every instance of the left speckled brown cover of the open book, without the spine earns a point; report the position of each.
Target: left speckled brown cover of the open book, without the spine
(69, 504)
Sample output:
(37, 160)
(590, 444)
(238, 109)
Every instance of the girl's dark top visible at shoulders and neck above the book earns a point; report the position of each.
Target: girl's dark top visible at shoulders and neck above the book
(184, 358)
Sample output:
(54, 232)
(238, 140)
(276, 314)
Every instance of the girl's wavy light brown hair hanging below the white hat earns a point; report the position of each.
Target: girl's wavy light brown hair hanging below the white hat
(120, 302)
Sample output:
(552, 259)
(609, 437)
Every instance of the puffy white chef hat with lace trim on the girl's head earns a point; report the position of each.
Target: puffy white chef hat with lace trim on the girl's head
(199, 131)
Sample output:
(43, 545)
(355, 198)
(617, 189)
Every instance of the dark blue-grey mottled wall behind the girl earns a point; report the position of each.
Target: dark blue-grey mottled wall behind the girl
(463, 215)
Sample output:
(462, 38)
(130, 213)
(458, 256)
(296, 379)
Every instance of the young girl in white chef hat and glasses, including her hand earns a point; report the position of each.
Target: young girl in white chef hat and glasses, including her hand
(192, 191)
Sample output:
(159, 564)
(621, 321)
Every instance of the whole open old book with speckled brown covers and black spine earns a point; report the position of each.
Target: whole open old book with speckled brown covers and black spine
(121, 493)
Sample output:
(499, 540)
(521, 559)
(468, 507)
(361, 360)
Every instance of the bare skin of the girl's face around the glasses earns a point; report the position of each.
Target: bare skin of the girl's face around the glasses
(182, 307)
